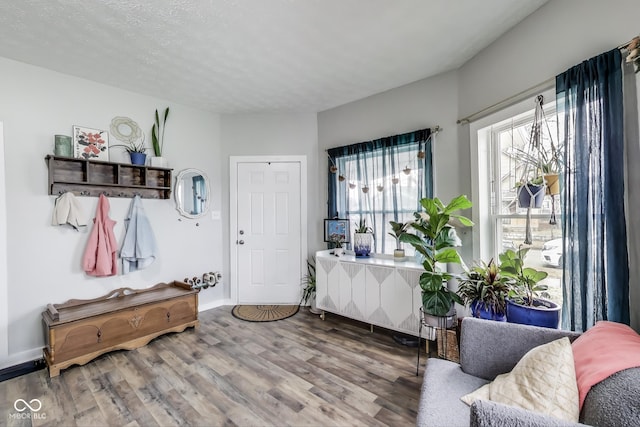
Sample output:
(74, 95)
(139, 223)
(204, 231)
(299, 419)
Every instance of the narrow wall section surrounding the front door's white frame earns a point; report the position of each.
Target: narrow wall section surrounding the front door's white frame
(271, 135)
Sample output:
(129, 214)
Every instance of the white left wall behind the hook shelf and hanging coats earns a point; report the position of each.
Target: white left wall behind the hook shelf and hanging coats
(43, 260)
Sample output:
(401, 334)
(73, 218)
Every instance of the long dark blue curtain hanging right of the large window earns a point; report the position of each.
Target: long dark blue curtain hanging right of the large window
(590, 119)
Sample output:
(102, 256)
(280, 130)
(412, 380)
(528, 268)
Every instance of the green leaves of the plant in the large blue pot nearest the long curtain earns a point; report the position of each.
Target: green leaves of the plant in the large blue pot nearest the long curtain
(525, 284)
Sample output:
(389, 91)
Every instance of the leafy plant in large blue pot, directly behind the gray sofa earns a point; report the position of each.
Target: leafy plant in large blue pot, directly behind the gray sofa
(526, 303)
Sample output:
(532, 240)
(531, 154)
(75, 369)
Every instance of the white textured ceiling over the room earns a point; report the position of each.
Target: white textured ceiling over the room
(235, 56)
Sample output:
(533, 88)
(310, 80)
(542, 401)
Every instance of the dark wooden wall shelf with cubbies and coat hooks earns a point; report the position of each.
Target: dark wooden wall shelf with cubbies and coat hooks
(92, 178)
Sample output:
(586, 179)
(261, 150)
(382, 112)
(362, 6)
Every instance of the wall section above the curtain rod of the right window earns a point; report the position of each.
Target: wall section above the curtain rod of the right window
(556, 37)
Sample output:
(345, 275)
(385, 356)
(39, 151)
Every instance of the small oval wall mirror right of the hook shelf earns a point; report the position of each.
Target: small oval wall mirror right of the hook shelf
(192, 193)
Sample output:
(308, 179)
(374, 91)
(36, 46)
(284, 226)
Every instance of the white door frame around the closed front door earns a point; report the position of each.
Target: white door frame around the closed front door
(233, 210)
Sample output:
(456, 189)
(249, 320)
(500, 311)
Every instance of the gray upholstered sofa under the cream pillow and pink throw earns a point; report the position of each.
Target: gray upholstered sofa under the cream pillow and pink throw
(489, 348)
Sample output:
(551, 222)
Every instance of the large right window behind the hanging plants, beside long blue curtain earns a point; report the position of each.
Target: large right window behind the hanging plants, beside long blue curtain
(505, 166)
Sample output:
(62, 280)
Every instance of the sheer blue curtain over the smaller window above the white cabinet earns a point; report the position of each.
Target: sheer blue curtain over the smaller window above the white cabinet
(395, 173)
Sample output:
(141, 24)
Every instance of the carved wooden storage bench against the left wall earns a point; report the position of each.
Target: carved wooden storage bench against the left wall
(80, 330)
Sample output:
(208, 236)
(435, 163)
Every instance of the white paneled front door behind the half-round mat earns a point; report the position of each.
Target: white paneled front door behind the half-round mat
(268, 232)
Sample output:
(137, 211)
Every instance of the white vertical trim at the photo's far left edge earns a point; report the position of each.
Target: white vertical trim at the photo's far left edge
(4, 288)
